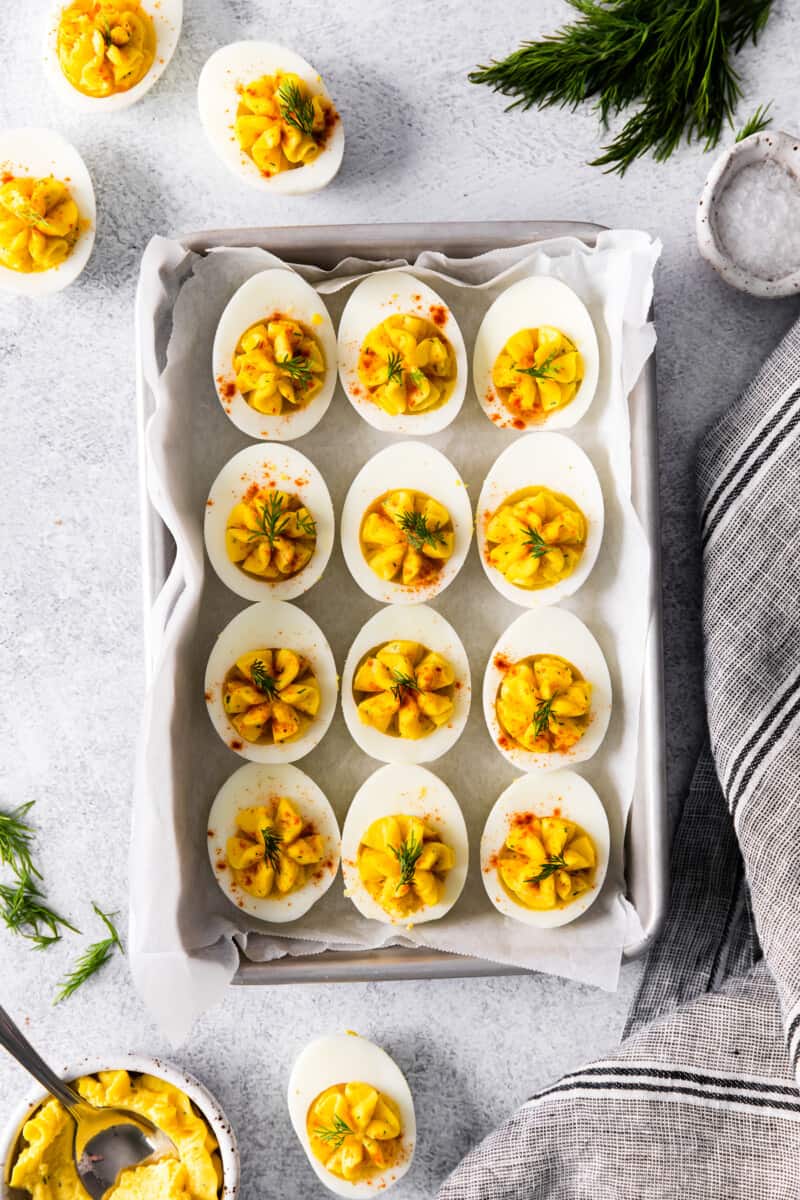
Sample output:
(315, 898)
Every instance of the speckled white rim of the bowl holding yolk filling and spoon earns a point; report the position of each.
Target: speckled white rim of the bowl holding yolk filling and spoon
(197, 1093)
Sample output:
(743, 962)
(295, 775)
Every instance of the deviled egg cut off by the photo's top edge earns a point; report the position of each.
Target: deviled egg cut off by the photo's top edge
(106, 55)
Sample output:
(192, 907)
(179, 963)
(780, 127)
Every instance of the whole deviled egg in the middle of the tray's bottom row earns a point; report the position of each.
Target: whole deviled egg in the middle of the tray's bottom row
(405, 847)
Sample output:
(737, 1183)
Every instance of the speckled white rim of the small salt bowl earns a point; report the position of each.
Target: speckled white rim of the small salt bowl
(784, 149)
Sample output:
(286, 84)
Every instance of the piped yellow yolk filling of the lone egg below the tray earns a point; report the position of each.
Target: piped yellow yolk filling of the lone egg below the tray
(354, 1131)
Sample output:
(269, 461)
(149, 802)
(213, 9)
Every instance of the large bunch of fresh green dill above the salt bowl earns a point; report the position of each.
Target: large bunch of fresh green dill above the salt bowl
(669, 58)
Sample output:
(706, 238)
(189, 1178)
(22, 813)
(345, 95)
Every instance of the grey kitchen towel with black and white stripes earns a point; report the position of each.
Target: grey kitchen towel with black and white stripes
(702, 1099)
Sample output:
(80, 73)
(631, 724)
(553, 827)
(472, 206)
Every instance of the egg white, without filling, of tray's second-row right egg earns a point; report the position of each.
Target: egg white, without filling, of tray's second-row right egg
(543, 460)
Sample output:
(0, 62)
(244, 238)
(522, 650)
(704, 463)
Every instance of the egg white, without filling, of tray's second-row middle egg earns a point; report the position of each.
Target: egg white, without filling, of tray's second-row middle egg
(420, 467)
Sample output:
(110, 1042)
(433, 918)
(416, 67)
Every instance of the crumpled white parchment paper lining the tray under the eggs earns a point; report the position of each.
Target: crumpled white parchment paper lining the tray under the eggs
(185, 935)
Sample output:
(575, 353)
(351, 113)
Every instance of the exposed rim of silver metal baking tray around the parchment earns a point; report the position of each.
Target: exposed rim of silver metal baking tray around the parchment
(647, 836)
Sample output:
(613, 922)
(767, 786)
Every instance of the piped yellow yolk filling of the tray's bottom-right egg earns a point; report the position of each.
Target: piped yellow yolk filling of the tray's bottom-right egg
(546, 862)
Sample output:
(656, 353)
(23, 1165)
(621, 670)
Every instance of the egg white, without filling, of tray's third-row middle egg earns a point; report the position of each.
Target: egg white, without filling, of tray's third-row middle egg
(417, 625)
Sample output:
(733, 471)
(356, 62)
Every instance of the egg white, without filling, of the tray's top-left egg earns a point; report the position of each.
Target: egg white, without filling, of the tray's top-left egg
(285, 292)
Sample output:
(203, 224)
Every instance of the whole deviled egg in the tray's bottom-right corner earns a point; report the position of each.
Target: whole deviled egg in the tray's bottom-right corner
(545, 849)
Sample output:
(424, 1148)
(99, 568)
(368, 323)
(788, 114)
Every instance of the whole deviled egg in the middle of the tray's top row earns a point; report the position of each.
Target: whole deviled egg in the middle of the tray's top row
(402, 358)
